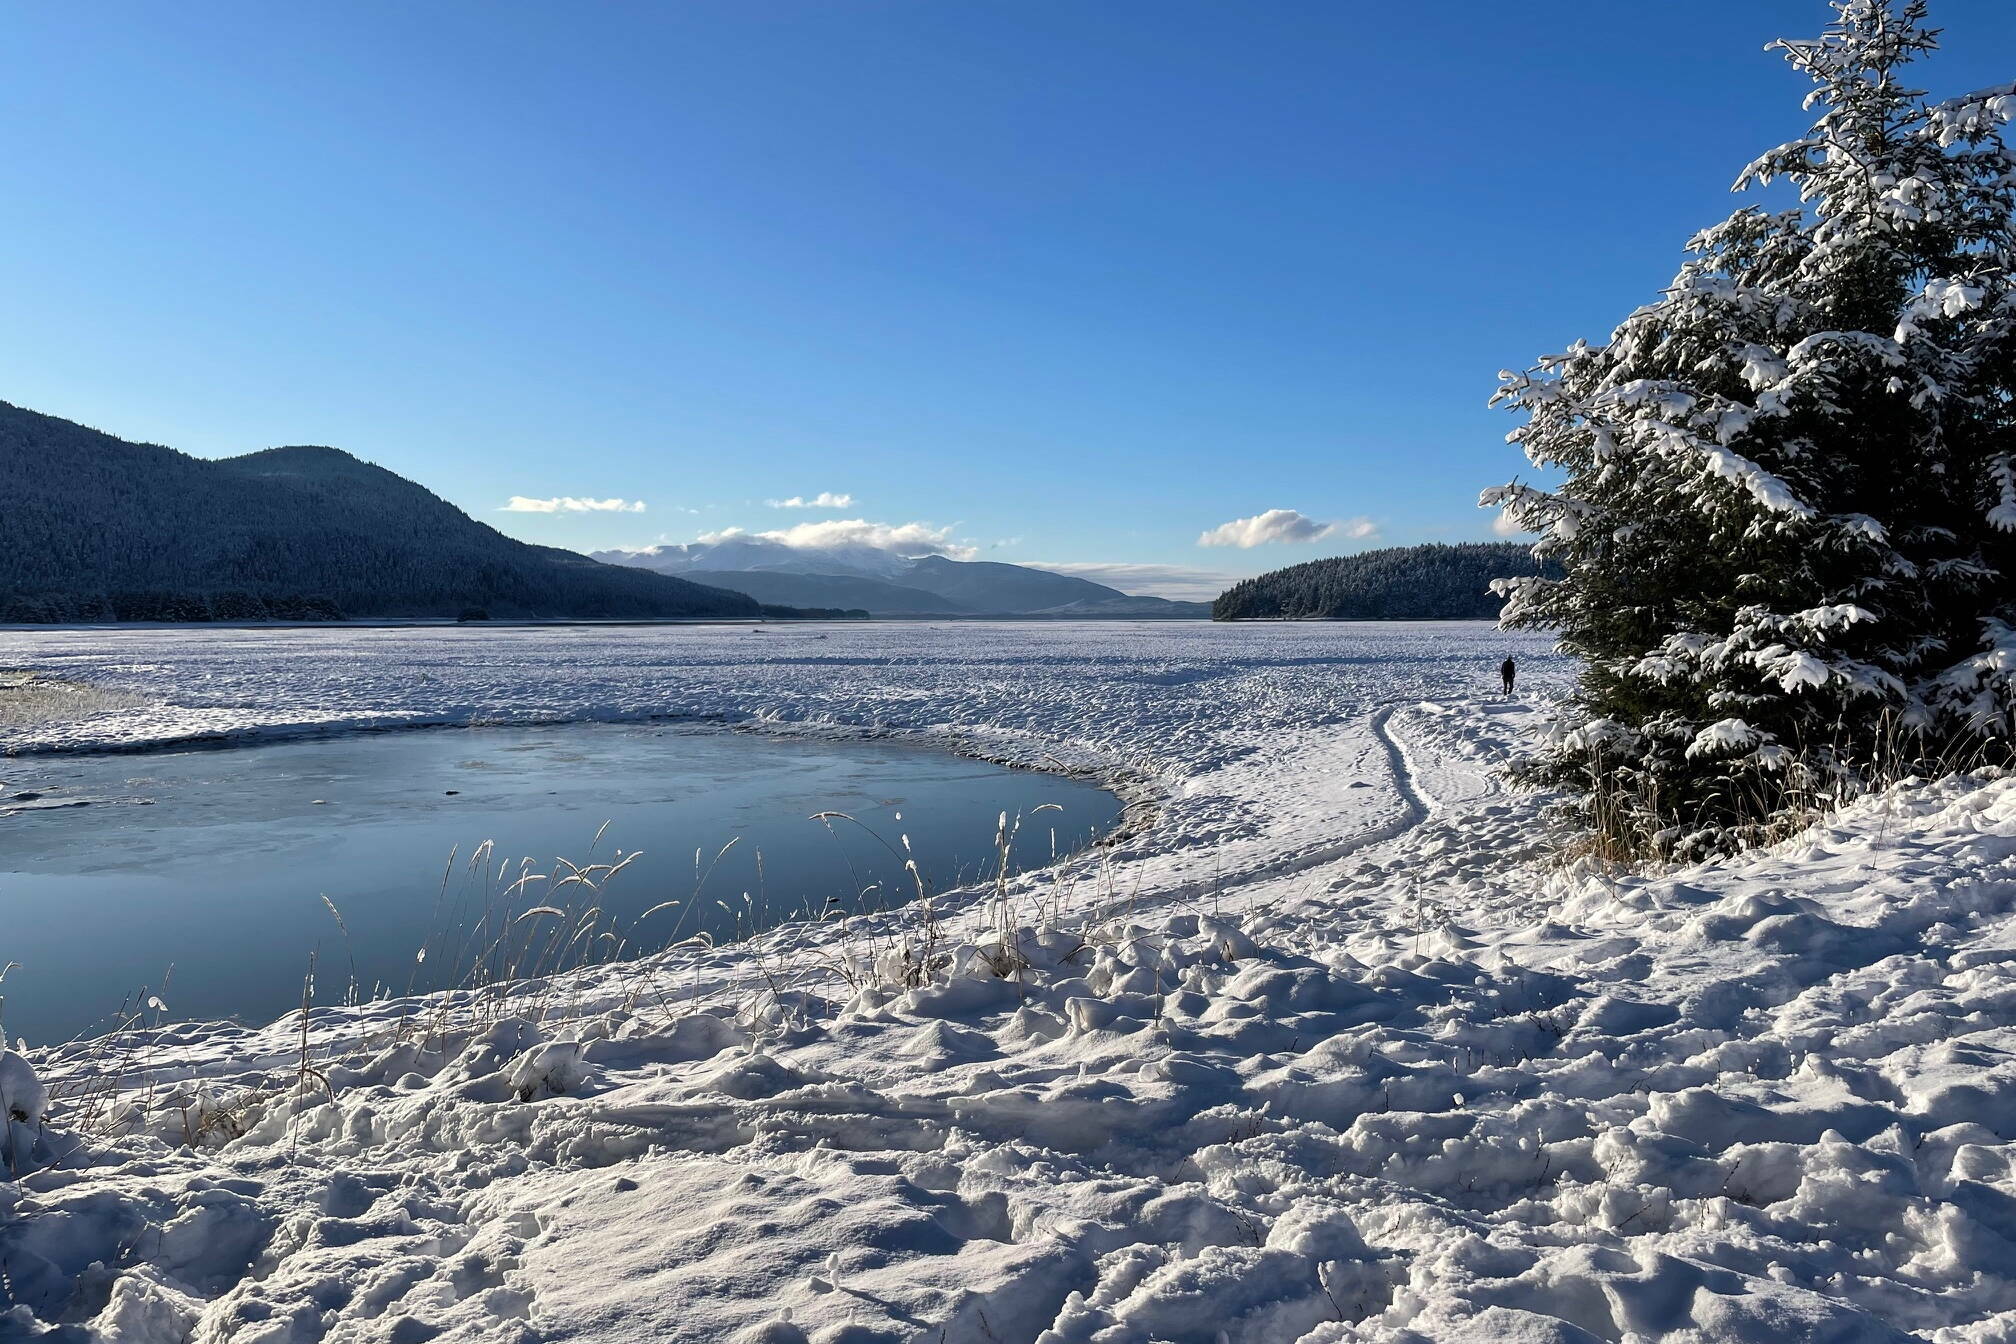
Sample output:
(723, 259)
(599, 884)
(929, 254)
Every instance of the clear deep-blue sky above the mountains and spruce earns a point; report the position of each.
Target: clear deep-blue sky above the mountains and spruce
(1080, 279)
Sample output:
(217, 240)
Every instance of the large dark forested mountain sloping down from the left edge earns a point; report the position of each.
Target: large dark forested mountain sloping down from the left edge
(100, 529)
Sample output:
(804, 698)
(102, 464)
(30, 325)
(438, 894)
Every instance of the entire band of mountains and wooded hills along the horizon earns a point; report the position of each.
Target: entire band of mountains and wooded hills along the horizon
(102, 529)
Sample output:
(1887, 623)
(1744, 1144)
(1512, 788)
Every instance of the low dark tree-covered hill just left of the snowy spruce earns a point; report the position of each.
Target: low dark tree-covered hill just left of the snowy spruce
(1400, 583)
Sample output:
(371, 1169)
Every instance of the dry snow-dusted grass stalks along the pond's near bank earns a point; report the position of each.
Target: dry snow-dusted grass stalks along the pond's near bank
(509, 936)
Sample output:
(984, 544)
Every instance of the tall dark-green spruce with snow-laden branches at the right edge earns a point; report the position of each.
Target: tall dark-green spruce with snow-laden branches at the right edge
(1787, 515)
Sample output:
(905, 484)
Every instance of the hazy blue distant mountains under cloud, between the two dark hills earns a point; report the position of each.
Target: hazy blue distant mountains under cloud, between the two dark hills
(892, 585)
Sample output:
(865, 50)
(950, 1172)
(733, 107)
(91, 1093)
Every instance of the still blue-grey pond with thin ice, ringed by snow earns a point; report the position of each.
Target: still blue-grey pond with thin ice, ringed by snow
(201, 876)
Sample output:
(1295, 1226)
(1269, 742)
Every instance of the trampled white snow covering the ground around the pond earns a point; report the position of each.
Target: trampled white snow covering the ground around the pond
(1332, 1047)
